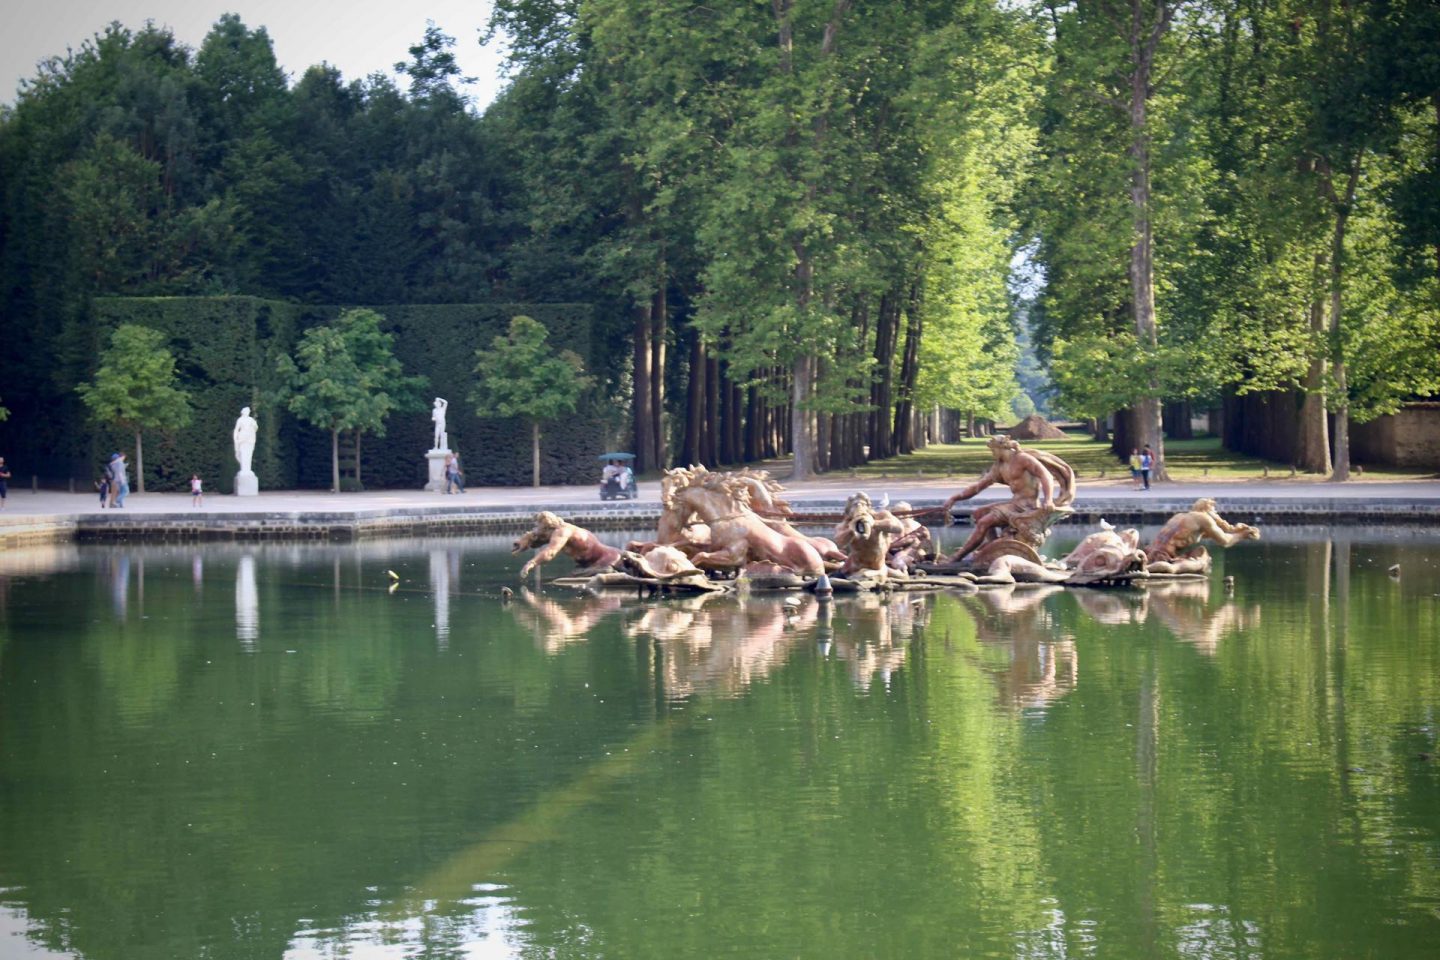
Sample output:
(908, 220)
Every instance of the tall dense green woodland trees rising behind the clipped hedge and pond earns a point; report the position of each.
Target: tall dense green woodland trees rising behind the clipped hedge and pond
(793, 222)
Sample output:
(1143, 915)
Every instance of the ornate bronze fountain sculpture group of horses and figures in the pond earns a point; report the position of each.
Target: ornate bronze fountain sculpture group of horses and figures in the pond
(722, 525)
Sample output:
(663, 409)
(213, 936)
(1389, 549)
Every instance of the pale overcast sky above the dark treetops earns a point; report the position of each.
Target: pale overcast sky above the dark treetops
(358, 38)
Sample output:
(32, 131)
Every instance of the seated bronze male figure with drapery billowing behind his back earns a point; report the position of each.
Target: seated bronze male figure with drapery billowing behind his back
(1042, 490)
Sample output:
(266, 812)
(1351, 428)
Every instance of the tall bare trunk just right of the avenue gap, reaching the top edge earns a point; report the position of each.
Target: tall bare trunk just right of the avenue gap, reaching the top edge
(1146, 37)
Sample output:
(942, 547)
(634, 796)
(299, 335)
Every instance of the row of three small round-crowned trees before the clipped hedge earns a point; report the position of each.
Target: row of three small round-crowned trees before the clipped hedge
(343, 378)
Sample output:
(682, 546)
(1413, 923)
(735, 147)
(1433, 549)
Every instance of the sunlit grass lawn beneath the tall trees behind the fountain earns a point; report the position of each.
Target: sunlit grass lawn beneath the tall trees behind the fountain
(1187, 460)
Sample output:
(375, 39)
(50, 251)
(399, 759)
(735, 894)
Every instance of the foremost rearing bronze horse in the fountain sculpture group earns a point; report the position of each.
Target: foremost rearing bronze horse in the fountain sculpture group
(738, 535)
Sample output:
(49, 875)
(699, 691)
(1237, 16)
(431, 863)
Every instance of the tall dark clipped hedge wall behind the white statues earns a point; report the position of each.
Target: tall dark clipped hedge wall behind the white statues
(227, 349)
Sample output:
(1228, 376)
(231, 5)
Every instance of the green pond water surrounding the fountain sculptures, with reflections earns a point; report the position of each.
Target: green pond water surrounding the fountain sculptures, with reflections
(251, 753)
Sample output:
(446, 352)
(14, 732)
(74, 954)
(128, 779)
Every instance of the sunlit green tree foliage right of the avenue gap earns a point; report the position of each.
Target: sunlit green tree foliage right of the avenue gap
(1287, 143)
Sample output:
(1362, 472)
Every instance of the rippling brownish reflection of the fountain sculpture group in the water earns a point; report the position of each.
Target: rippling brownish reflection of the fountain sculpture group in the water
(721, 644)
